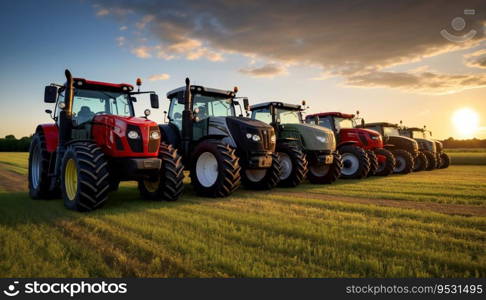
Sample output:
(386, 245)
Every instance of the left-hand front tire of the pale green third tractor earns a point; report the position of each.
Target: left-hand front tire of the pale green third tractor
(293, 165)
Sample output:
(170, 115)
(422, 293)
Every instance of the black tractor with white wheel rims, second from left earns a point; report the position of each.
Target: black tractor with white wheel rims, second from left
(220, 148)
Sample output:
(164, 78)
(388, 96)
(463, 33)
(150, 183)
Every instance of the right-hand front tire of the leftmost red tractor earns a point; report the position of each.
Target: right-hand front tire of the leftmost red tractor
(169, 184)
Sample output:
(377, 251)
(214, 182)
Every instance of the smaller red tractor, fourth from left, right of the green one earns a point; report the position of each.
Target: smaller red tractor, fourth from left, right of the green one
(361, 149)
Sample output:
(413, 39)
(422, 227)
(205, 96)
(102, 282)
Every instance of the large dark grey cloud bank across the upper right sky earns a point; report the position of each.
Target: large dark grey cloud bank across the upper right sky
(344, 38)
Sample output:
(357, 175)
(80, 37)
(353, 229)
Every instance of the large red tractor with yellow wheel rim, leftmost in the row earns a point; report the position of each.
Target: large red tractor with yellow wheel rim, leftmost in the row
(95, 142)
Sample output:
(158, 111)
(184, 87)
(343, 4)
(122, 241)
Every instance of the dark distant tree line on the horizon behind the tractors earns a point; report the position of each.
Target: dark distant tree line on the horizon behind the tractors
(11, 144)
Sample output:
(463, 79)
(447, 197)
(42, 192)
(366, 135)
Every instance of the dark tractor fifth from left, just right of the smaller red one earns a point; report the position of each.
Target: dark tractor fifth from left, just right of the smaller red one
(403, 148)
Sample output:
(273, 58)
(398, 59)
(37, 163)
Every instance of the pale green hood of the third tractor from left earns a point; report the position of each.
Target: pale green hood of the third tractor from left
(314, 137)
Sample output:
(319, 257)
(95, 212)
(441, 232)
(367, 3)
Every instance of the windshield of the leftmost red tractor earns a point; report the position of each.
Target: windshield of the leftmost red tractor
(88, 103)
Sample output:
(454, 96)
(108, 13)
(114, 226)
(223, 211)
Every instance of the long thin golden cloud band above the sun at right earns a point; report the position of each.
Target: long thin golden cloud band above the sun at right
(425, 82)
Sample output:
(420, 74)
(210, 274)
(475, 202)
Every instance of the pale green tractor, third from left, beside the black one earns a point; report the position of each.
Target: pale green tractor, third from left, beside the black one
(303, 149)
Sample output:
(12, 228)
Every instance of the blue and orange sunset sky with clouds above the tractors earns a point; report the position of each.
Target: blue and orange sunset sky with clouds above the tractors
(416, 61)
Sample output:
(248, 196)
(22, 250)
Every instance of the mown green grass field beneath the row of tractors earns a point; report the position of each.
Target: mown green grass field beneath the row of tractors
(427, 224)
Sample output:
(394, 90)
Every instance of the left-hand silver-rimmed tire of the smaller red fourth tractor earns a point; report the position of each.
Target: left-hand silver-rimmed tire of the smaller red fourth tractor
(356, 164)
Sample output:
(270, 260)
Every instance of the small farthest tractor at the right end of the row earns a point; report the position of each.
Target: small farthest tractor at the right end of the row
(431, 149)
